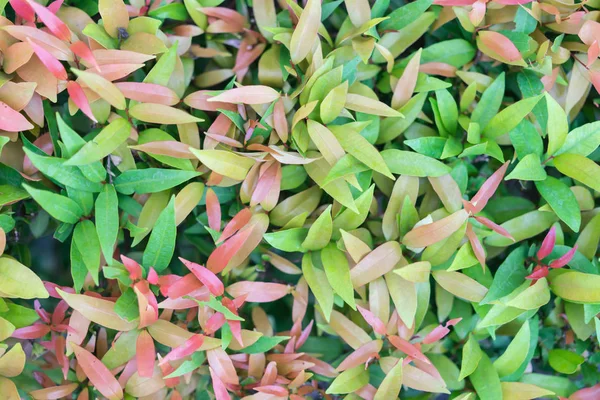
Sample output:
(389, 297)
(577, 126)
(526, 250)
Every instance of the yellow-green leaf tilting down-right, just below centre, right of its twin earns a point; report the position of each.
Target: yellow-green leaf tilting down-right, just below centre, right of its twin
(337, 271)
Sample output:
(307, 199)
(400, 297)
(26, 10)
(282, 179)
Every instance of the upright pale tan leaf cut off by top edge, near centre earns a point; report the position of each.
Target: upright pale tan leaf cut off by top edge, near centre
(305, 34)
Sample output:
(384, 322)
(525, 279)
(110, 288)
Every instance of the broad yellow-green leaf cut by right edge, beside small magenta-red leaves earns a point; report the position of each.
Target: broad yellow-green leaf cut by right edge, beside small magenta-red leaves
(577, 287)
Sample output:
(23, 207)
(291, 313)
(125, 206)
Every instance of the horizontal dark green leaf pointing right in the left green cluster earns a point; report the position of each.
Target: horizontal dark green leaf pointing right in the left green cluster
(151, 180)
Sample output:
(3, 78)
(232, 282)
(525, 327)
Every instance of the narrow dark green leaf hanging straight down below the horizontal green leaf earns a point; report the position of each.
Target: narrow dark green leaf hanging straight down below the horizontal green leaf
(107, 220)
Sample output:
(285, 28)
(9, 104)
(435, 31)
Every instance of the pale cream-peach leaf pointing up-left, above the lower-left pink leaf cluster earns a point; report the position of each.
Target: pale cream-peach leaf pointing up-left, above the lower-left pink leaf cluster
(97, 310)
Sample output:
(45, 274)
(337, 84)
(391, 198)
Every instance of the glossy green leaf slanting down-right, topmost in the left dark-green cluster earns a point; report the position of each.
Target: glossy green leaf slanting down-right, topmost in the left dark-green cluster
(56, 169)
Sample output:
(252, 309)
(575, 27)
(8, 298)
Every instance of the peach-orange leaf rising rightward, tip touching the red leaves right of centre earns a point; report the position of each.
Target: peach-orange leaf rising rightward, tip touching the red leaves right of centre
(428, 234)
